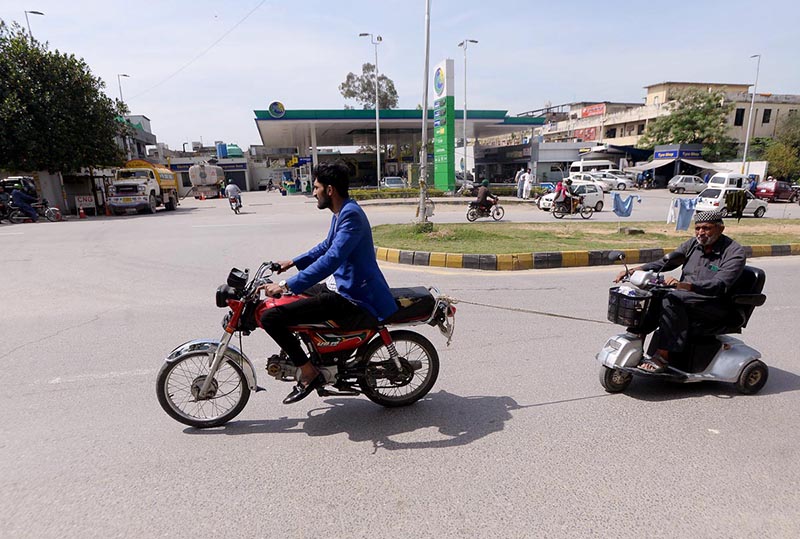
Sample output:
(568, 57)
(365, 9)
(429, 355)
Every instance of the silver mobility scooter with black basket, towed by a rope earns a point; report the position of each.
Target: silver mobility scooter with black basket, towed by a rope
(713, 355)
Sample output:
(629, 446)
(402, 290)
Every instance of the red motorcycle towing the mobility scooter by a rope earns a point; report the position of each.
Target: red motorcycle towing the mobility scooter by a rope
(206, 383)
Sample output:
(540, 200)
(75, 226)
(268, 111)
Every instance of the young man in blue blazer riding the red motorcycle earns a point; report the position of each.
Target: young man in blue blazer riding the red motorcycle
(355, 293)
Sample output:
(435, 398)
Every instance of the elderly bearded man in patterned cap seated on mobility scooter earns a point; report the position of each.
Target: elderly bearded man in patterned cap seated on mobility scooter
(712, 264)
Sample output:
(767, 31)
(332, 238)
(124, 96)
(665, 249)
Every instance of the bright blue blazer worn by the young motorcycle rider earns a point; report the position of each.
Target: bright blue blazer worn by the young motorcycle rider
(349, 254)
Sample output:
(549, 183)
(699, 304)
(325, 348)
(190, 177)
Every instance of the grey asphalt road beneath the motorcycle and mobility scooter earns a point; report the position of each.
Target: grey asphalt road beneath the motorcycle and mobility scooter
(517, 438)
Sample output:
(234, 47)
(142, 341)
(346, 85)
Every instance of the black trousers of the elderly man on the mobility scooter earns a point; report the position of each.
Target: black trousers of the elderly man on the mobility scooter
(682, 312)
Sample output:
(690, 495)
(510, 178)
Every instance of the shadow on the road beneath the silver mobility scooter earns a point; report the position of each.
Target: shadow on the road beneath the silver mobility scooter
(779, 381)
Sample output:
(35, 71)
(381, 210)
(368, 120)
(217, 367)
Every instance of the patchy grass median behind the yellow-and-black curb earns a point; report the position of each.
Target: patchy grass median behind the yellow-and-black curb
(507, 238)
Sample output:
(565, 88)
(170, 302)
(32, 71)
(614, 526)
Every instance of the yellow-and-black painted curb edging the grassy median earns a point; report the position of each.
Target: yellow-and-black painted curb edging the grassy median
(549, 260)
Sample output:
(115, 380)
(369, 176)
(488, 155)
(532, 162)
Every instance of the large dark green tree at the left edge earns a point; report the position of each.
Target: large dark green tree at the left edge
(53, 113)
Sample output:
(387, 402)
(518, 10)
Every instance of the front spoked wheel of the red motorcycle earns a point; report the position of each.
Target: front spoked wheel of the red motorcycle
(178, 389)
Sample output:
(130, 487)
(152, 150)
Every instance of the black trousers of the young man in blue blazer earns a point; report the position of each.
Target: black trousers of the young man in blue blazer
(322, 305)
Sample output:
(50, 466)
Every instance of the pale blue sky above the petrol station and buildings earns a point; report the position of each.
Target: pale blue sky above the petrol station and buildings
(529, 52)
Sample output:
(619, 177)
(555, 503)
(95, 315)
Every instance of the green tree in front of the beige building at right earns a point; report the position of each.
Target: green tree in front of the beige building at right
(696, 116)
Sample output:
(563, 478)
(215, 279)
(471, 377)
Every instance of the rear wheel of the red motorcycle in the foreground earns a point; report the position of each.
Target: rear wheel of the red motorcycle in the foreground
(404, 390)
